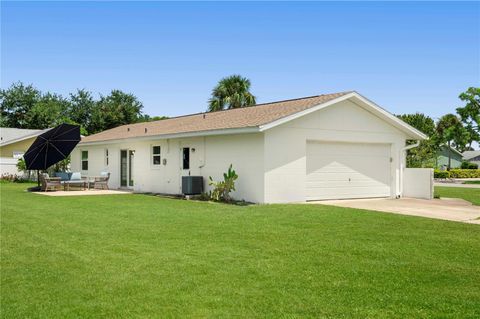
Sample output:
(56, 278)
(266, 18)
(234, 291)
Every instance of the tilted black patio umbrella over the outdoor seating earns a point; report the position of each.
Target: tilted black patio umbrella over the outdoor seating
(52, 146)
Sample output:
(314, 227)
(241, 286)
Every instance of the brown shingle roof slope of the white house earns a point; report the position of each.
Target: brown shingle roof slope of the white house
(253, 116)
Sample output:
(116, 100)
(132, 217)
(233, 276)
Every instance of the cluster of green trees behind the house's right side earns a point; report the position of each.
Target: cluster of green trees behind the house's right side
(458, 131)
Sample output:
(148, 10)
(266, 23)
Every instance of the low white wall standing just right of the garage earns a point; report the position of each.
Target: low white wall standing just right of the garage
(418, 183)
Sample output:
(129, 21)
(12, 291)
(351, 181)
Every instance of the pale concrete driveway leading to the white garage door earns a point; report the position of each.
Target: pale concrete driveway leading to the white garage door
(452, 209)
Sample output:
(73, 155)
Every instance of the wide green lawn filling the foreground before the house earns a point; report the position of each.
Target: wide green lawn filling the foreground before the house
(125, 256)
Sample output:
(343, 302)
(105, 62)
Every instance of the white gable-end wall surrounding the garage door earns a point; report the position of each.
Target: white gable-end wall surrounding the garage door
(285, 147)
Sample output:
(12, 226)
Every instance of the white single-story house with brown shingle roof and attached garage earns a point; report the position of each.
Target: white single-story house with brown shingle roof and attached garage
(329, 146)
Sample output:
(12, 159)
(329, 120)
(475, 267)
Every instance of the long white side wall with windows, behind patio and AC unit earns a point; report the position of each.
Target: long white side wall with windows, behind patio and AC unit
(212, 157)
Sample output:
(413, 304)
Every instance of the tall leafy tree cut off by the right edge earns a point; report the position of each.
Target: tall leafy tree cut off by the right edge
(470, 113)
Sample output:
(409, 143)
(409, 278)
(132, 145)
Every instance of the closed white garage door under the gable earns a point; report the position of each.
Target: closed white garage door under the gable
(347, 170)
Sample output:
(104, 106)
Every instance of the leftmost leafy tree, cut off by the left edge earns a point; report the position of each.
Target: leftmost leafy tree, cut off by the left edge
(16, 103)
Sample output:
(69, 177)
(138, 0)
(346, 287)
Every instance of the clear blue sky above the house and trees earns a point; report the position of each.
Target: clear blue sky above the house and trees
(406, 56)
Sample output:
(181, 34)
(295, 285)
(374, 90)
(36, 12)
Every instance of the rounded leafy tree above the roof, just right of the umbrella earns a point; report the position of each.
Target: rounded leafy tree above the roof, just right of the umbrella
(116, 109)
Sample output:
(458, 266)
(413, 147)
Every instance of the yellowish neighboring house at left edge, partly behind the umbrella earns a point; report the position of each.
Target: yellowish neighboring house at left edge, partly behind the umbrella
(14, 143)
